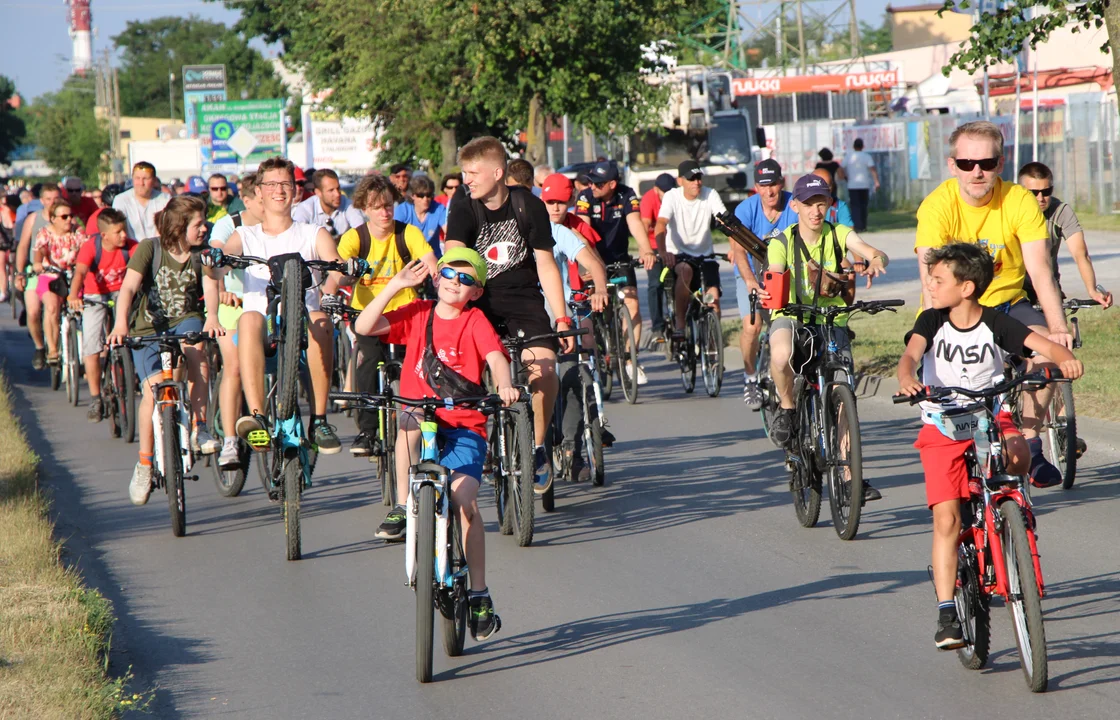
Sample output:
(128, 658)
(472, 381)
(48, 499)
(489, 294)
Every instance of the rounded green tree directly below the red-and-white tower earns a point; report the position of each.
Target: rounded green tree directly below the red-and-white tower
(70, 137)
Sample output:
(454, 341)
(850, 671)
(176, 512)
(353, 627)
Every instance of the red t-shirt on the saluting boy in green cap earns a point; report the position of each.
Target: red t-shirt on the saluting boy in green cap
(462, 344)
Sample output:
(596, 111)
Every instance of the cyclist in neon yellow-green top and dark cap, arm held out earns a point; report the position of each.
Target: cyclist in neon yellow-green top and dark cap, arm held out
(810, 240)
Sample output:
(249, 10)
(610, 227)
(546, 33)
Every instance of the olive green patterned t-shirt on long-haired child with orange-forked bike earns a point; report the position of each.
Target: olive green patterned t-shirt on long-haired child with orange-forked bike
(172, 297)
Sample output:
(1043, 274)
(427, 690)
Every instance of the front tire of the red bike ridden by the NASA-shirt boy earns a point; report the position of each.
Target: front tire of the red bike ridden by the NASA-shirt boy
(1026, 612)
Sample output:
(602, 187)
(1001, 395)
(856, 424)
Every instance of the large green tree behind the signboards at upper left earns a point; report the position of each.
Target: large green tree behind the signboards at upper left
(152, 50)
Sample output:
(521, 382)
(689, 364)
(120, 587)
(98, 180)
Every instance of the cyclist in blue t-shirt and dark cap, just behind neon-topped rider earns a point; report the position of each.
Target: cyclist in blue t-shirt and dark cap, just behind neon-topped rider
(767, 213)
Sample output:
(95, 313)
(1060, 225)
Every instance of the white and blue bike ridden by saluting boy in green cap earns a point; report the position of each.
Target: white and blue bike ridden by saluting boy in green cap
(435, 558)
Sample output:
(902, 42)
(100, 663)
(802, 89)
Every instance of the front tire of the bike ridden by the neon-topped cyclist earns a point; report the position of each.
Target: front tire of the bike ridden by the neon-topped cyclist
(846, 499)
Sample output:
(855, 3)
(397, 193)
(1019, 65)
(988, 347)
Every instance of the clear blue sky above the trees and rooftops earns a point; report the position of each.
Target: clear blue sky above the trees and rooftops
(36, 49)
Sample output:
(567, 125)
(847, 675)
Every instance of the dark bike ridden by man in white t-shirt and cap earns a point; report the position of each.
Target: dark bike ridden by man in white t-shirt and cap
(703, 342)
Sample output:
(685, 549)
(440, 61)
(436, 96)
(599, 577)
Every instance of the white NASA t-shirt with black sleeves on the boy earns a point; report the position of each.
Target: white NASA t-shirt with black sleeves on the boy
(966, 358)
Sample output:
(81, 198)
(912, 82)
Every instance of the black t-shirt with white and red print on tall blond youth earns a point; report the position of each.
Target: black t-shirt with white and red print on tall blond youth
(510, 259)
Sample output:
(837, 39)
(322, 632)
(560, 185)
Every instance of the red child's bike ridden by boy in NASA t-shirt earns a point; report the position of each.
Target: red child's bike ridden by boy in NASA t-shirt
(998, 550)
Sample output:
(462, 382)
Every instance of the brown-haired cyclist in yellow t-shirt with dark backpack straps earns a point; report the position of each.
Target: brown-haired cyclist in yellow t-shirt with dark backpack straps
(376, 197)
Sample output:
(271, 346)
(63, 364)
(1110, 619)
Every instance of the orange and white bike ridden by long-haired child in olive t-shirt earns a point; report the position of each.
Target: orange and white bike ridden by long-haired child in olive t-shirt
(171, 420)
